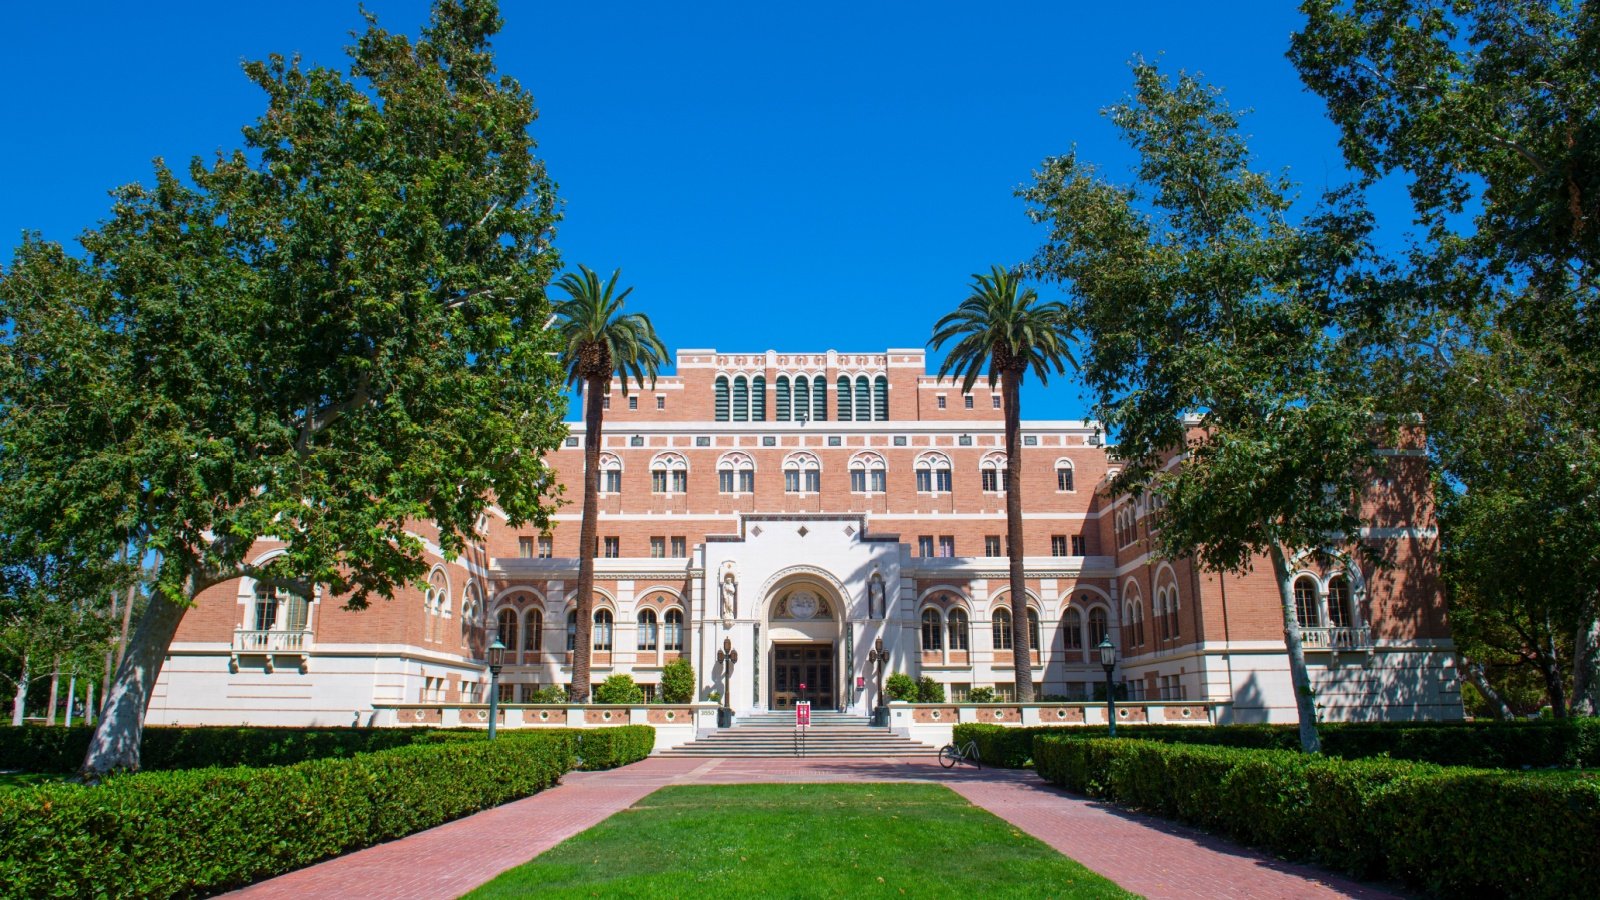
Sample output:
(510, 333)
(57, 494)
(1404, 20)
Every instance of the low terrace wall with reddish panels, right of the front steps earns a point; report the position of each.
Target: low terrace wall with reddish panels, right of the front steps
(934, 723)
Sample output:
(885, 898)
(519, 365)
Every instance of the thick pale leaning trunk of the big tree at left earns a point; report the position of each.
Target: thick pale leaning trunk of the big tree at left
(116, 742)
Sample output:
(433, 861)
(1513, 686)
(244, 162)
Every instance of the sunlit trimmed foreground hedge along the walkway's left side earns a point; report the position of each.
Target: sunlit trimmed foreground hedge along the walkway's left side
(209, 830)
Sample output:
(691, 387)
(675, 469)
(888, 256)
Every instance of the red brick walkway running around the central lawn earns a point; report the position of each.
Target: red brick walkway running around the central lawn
(1146, 856)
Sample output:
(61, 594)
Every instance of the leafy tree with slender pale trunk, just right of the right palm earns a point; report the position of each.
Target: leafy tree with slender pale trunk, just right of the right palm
(1220, 329)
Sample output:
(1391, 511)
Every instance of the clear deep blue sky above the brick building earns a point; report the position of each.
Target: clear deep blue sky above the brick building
(796, 177)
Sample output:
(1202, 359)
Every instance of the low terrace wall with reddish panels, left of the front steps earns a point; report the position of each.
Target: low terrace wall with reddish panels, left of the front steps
(674, 723)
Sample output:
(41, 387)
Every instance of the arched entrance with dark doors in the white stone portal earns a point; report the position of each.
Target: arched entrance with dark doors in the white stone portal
(804, 654)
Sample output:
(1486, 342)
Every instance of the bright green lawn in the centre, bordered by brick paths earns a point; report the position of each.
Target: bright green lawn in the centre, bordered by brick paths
(772, 842)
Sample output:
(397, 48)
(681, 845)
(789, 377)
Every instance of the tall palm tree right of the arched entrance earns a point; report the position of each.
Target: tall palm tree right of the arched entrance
(1002, 326)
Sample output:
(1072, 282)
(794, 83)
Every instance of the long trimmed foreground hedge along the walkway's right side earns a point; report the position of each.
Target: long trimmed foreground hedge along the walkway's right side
(1458, 832)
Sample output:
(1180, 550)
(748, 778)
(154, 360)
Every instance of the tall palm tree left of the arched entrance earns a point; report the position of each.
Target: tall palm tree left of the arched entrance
(598, 340)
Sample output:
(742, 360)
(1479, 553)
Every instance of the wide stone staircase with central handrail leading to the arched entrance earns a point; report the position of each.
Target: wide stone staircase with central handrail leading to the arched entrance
(774, 734)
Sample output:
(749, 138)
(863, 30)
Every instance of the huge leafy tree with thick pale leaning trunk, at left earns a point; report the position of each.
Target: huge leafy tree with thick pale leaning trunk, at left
(318, 340)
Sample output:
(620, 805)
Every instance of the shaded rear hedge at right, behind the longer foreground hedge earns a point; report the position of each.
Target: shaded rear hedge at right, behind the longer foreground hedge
(1484, 745)
